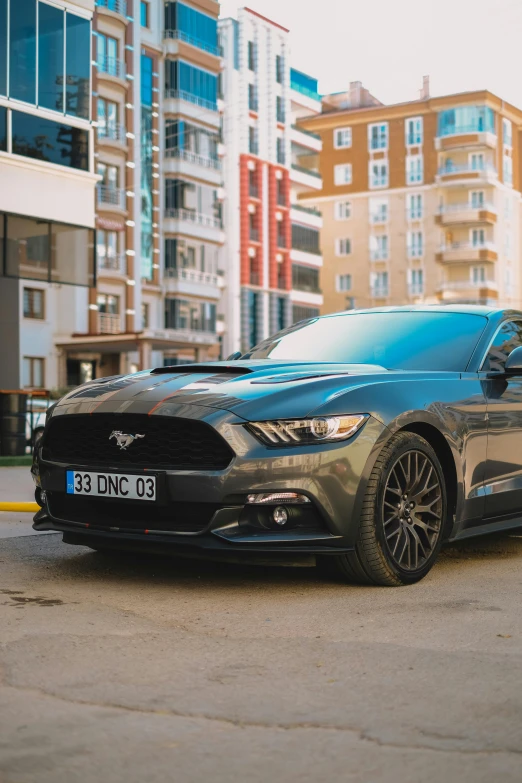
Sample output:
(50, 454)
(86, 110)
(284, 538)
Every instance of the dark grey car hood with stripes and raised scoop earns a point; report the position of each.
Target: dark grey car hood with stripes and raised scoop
(250, 389)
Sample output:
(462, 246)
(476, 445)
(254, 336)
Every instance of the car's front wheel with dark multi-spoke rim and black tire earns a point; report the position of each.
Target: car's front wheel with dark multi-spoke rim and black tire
(388, 528)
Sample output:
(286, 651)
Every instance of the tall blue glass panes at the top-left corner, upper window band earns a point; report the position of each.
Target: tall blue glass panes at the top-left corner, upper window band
(58, 78)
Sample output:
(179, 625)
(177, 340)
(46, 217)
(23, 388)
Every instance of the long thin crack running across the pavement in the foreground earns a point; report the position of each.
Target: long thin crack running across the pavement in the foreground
(361, 734)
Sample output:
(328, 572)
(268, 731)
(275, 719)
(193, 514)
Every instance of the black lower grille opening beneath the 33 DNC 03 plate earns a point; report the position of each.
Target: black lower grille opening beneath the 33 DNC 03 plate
(137, 517)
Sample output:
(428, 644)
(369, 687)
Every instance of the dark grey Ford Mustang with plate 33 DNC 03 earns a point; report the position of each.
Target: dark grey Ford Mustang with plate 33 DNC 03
(360, 441)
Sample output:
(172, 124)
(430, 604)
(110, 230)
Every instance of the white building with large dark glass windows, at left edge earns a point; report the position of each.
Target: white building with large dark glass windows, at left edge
(47, 185)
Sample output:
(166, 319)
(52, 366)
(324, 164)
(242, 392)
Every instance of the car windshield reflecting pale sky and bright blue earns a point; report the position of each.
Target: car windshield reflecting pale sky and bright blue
(396, 340)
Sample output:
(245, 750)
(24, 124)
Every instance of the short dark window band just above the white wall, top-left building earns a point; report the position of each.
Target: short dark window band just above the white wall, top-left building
(51, 141)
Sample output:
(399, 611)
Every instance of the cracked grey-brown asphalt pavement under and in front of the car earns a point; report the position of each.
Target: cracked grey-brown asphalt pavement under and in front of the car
(121, 668)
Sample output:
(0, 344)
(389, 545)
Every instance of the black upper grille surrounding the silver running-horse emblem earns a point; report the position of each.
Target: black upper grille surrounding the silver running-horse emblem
(168, 442)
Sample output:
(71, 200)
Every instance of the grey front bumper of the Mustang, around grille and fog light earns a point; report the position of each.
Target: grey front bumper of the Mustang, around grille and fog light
(332, 476)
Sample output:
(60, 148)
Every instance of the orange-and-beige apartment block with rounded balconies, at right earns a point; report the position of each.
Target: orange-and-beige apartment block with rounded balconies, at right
(421, 201)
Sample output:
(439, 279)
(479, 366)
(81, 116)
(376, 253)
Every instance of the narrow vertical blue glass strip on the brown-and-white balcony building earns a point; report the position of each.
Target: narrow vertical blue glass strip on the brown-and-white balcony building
(146, 169)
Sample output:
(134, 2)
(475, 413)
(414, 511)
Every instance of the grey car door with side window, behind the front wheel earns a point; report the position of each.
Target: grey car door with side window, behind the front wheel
(503, 476)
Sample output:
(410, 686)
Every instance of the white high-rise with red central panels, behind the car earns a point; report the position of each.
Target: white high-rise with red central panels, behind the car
(272, 252)
